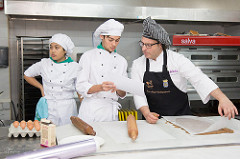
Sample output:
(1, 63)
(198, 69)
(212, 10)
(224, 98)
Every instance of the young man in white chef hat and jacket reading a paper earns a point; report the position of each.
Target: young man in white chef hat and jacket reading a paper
(100, 96)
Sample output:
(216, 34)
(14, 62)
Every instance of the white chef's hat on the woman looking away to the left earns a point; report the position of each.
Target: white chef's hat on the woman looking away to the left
(64, 41)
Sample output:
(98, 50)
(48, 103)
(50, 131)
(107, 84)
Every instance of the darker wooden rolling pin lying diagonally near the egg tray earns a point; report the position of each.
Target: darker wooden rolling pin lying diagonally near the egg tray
(82, 126)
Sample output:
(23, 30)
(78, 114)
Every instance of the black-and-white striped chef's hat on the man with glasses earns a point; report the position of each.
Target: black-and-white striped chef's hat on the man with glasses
(154, 31)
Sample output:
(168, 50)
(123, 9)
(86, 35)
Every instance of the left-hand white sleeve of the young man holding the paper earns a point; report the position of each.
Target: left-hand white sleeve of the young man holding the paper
(82, 84)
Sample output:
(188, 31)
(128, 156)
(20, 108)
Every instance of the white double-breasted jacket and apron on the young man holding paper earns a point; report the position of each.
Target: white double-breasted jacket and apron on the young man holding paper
(95, 64)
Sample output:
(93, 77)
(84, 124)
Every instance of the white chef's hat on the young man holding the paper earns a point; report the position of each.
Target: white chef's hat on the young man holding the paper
(110, 27)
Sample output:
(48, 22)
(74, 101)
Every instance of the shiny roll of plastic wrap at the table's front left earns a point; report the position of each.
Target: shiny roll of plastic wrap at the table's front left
(65, 151)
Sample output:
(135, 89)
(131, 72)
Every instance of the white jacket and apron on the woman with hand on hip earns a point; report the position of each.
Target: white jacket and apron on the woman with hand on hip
(58, 81)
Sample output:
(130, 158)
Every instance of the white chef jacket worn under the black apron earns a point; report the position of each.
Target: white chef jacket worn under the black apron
(180, 69)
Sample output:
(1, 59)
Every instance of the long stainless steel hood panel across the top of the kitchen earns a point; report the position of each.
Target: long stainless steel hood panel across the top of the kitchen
(186, 10)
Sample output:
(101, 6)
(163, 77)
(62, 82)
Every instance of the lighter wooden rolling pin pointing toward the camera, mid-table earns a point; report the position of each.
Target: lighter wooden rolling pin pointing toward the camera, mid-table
(132, 127)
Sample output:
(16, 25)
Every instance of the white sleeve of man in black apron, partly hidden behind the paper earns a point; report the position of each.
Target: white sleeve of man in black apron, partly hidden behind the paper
(137, 74)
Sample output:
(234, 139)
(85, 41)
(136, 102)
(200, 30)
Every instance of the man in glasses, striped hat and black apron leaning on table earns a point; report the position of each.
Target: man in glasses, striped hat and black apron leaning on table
(165, 74)
